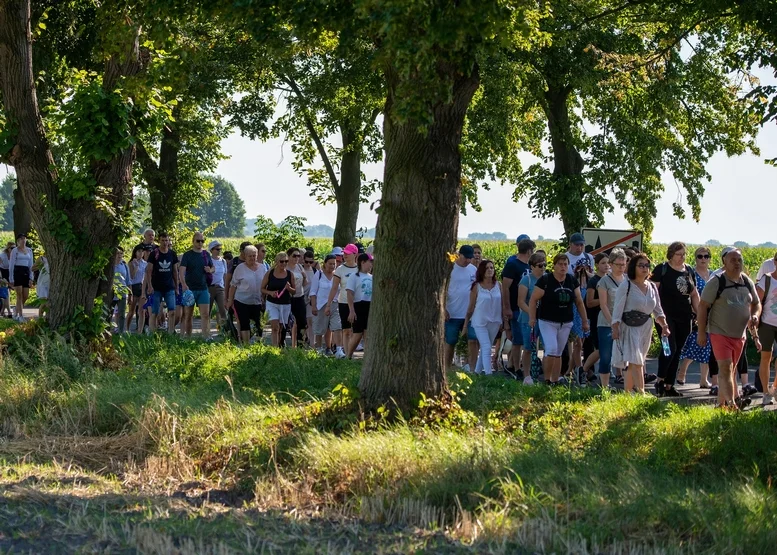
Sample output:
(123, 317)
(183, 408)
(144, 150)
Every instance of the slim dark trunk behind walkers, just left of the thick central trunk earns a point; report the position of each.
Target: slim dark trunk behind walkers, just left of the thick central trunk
(348, 193)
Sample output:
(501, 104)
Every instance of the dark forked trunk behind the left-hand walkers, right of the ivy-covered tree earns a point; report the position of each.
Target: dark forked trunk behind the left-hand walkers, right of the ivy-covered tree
(162, 178)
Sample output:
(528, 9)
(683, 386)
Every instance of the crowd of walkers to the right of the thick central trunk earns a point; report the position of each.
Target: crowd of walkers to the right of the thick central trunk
(580, 310)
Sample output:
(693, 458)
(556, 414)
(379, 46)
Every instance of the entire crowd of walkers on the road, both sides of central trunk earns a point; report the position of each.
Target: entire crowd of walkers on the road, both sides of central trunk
(577, 309)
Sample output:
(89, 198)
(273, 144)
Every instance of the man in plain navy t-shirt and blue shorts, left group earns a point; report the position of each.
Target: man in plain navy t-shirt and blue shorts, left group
(195, 273)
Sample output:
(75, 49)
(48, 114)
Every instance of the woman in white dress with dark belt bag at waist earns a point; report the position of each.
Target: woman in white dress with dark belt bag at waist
(632, 328)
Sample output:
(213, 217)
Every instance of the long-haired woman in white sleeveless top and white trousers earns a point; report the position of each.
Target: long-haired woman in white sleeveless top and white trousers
(485, 313)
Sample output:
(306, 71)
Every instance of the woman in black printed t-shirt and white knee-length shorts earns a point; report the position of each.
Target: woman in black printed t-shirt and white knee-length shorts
(550, 307)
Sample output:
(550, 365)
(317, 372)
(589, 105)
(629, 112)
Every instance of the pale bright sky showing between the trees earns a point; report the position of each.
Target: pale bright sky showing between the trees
(736, 205)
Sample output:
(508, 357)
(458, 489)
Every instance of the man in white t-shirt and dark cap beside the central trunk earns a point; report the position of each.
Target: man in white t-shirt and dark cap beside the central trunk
(457, 302)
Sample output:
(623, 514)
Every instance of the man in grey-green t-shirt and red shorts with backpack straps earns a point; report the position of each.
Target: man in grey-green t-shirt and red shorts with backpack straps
(729, 307)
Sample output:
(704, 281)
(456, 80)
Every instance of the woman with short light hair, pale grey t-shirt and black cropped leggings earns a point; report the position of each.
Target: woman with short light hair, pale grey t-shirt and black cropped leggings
(245, 293)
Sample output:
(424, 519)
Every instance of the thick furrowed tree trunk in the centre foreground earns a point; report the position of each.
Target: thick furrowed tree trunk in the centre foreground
(419, 216)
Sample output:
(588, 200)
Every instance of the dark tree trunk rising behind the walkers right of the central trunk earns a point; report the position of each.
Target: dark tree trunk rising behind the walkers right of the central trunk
(568, 165)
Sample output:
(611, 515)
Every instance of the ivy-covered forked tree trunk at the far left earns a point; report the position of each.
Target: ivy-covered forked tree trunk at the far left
(78, 235)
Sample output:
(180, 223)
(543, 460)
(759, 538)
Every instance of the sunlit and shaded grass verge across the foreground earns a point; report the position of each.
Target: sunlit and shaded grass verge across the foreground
(173, 446)
